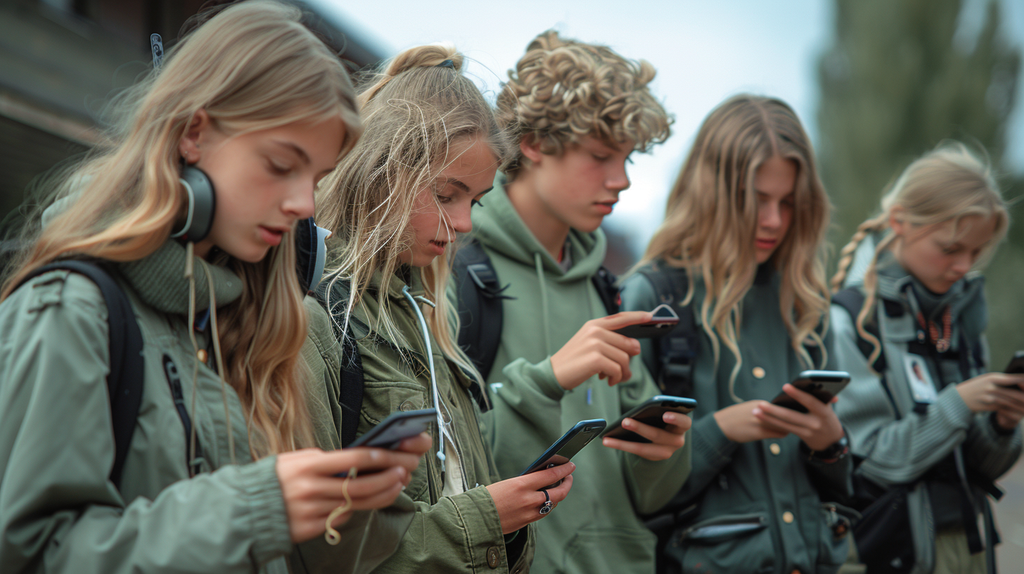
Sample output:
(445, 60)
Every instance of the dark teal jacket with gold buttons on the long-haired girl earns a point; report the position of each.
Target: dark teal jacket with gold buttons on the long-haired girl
(772, 482)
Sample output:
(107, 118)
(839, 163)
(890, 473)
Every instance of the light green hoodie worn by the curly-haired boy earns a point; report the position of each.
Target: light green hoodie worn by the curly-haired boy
(598, 527)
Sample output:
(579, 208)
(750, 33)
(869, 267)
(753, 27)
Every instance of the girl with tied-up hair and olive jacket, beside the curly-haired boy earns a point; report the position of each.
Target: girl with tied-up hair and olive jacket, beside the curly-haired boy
(396, 206)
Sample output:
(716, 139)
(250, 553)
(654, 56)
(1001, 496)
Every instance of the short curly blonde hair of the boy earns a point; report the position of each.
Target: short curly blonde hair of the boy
(564, 91)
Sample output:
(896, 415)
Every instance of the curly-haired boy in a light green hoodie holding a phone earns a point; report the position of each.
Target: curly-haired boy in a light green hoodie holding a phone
(579, 111)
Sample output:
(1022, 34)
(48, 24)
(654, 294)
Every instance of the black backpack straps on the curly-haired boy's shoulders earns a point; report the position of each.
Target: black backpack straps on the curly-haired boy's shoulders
(481, 297)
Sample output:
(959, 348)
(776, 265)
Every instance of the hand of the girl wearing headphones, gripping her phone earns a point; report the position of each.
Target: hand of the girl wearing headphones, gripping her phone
(313, 490)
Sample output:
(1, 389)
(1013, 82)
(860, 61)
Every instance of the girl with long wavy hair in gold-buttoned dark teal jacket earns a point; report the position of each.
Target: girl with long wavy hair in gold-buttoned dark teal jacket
(746, 226)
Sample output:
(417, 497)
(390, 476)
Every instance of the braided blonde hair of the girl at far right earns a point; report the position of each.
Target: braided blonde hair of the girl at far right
(946, 185)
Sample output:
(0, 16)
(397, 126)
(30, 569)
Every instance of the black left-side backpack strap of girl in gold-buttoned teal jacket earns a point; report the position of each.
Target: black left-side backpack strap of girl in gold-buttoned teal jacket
(677, 350)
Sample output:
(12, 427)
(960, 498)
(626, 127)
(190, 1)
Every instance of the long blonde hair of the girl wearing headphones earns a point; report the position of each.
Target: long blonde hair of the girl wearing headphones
(251, 67)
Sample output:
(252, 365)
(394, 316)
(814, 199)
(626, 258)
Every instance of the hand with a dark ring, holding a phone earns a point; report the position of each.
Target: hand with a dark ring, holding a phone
(520, 500)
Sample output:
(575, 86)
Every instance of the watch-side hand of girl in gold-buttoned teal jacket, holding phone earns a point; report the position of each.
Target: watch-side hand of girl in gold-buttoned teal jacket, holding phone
(819, 428)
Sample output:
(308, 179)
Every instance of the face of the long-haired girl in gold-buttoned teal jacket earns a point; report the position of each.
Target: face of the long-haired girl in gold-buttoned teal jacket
(775, 185)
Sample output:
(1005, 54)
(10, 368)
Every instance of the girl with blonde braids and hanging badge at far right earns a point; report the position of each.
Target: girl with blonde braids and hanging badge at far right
(930, 422)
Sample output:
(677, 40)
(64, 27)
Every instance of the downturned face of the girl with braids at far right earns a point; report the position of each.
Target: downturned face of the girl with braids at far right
(941, 255)
